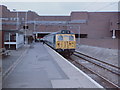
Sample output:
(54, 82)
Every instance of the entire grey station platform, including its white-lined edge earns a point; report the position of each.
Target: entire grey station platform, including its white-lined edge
(42, 67)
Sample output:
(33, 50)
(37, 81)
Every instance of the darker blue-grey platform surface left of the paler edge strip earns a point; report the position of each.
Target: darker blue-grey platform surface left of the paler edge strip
(35, 70)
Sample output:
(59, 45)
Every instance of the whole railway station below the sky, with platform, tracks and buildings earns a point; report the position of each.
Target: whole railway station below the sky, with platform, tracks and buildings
(75, 51)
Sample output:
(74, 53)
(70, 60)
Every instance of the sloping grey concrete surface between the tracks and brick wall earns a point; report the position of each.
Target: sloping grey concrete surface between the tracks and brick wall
(104, 54)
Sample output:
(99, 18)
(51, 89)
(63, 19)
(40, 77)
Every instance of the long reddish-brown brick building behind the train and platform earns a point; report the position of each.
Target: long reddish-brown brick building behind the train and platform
(94, 28)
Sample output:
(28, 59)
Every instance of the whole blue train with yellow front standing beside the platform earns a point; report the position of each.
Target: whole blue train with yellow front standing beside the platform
(62, 41)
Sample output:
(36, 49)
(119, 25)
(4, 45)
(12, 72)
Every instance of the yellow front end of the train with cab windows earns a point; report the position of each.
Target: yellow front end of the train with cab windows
(65, 43)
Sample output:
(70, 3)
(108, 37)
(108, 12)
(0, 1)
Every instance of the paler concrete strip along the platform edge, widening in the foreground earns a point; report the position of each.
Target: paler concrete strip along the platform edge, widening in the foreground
(73, 73)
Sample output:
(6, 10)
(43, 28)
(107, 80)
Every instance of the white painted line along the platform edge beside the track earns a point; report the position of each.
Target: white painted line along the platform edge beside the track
(98, 85)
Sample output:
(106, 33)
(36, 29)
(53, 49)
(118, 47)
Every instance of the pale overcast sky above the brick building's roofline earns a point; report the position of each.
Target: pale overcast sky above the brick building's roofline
(61, 8)
